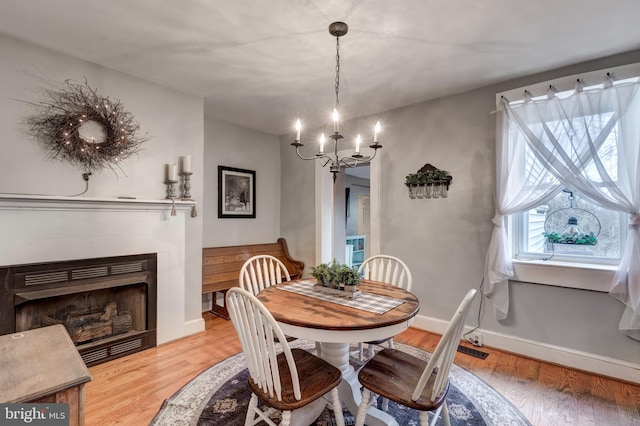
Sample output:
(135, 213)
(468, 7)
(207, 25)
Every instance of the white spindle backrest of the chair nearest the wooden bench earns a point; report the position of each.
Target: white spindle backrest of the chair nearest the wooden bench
(262, 271)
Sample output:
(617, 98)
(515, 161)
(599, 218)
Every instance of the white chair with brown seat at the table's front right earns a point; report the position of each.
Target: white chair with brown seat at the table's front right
(412, 382)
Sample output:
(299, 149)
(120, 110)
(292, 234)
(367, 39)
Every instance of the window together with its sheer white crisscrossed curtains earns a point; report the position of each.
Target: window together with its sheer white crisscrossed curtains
(586, 141)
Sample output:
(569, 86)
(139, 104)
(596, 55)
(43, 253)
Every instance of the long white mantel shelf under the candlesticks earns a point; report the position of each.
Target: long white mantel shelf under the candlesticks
(49, 202)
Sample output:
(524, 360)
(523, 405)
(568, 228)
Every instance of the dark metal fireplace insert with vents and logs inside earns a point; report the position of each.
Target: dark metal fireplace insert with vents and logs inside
(108, 305)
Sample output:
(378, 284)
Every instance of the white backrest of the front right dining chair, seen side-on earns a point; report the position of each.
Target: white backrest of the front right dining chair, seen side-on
(440, 362)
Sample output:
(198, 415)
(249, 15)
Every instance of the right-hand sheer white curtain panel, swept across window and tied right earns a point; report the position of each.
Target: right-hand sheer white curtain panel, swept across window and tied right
(567, 136)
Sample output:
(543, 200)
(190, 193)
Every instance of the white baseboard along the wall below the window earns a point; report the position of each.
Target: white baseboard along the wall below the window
(595, 364)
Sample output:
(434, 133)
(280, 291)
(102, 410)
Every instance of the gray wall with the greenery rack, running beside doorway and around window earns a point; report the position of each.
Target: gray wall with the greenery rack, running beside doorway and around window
(444, 241)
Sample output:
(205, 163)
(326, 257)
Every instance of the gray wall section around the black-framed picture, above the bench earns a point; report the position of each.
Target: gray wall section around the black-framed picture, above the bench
(233, 146)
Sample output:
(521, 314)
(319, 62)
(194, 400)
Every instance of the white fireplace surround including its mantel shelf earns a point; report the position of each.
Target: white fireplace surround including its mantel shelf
(40, 228)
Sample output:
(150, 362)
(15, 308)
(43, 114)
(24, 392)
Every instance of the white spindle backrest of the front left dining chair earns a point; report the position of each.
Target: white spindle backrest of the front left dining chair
(258, 332)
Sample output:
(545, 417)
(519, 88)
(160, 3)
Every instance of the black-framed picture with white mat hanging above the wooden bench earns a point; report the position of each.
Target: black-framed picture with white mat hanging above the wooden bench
(236, 193)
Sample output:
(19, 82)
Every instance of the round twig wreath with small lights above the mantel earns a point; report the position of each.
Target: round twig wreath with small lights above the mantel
(76, 124)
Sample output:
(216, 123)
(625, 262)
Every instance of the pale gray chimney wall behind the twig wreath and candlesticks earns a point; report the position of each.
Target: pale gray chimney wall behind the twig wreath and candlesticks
(172, 119)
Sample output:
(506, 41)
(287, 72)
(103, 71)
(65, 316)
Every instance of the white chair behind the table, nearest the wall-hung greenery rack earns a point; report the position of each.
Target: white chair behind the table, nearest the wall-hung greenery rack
(386, 269)
